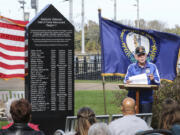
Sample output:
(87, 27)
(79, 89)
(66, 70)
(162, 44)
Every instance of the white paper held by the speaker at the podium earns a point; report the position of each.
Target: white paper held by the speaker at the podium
(139, 79)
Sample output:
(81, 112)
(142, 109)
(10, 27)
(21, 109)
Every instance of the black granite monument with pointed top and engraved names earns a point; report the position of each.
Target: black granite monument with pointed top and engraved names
(49, 84)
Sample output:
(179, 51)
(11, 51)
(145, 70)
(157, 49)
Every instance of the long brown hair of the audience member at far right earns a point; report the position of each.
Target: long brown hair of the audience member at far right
(167, 114)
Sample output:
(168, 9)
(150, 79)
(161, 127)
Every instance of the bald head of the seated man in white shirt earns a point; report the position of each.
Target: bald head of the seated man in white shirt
(128, 106)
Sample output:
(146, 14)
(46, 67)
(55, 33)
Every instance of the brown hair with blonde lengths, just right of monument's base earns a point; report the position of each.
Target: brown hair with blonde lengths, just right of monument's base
(85, 118)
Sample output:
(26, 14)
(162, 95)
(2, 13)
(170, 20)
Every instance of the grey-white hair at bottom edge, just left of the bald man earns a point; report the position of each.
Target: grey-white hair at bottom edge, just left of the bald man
(99, 129)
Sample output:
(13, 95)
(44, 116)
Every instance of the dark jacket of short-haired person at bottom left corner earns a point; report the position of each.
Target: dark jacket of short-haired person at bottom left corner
(20, 129)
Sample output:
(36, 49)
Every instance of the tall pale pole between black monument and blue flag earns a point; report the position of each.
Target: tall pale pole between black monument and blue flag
(82, 23)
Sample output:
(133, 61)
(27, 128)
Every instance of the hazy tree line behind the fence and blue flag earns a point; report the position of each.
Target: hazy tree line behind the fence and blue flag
(92, 42)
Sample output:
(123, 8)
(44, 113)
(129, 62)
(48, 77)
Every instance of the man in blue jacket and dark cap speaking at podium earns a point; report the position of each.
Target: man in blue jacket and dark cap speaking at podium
(138, 70)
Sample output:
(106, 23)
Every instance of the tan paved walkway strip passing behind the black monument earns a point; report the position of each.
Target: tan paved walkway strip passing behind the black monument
(18, 84)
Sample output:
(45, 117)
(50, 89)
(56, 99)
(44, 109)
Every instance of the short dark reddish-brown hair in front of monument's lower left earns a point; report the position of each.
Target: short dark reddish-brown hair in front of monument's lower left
(20, 111)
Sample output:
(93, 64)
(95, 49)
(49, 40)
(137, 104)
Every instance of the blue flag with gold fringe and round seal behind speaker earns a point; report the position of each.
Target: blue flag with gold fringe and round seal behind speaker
(118, 43)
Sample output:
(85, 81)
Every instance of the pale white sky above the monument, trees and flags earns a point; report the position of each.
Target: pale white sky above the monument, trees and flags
(166, 11)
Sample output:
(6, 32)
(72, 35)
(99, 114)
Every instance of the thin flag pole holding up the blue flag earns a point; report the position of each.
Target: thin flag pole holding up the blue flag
(103, 78)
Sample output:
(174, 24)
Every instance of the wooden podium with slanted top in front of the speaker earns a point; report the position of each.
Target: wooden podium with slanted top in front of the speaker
(138, 88)
